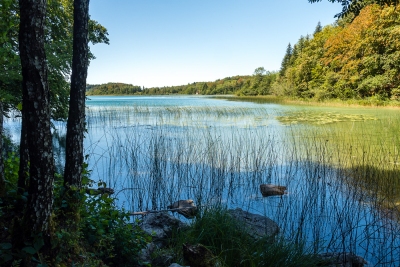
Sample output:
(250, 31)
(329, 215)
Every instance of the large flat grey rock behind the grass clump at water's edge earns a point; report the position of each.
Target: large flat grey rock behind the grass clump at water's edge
(256, 225)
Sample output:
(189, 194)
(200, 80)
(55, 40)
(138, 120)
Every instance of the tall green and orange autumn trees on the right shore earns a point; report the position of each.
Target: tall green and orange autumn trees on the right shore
(357, 57)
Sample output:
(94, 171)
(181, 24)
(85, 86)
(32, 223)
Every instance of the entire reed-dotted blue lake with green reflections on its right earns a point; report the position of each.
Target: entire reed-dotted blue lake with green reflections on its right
(341, 165)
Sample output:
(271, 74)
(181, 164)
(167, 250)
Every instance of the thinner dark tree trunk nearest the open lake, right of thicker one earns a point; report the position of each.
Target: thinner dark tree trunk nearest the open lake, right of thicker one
(76, 115)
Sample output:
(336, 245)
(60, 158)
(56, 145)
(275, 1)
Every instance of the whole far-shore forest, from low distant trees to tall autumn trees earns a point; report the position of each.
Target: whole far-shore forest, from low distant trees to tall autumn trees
(357, 57)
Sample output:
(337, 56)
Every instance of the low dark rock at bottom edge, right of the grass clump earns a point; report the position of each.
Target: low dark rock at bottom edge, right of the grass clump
(344, 259)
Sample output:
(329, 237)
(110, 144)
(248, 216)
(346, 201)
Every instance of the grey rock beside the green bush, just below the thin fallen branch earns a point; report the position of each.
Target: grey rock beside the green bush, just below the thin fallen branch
(160, 226)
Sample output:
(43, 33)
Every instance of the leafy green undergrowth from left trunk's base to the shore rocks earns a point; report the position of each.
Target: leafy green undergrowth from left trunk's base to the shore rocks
(103, 236)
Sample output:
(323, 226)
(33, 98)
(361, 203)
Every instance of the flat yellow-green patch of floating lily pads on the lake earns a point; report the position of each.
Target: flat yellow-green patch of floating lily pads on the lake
(320, 118)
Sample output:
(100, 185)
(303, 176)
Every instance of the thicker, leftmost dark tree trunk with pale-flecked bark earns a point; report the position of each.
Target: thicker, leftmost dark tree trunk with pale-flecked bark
(36, 114)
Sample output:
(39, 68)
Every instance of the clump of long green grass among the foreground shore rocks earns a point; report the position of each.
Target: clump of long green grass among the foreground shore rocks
(231, 245)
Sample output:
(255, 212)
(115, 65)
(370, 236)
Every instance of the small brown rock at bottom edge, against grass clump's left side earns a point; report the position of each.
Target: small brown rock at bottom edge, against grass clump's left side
(198, 256)
